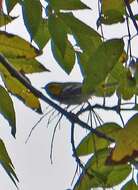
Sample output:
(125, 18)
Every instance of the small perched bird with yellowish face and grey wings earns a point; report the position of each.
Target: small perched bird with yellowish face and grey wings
(69, 93)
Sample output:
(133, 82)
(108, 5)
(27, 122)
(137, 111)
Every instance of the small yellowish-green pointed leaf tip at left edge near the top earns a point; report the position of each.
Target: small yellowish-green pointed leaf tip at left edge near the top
(5, 19)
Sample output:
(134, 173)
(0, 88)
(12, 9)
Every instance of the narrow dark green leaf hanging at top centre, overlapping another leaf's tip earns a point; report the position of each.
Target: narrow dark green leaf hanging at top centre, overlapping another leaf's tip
(58, 33)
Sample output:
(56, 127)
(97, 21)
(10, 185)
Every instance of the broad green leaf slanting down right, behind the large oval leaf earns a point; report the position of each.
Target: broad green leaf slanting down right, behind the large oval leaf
(86, 37)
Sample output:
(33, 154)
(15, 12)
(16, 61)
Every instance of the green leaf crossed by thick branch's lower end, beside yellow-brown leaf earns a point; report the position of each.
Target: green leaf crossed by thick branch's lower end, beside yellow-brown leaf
(92, 143)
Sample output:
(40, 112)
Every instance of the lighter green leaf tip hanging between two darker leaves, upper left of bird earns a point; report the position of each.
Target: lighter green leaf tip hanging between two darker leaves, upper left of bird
(42, 35)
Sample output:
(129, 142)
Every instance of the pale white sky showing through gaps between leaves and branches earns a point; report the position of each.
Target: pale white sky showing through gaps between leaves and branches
(32, 160)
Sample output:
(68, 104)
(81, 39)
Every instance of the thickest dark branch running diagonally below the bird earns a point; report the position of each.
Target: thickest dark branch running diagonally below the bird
(69, 115)
